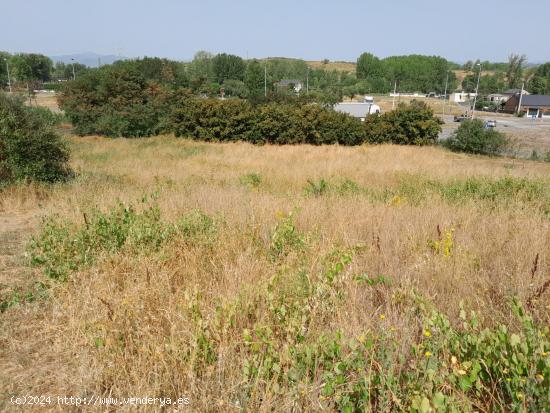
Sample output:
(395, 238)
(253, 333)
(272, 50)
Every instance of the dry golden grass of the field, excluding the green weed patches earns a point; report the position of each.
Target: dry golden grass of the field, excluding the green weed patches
(150, 302)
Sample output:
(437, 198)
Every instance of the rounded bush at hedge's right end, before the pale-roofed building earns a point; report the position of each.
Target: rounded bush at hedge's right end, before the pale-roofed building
(409, 124)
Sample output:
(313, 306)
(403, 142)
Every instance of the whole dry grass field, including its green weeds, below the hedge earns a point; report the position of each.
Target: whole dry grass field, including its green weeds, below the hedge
(292, 278)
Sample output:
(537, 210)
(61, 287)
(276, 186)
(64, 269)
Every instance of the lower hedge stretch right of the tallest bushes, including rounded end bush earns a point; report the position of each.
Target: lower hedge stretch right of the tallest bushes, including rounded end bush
(232, 120)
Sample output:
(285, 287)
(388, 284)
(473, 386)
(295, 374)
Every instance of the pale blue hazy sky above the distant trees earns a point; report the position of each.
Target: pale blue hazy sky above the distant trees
(309, 29)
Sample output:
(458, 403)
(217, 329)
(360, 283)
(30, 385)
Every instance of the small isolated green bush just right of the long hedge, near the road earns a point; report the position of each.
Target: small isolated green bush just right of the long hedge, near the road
(473, 137)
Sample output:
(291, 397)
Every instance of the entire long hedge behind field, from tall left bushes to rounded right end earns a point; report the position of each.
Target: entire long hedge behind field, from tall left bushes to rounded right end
(116, 101)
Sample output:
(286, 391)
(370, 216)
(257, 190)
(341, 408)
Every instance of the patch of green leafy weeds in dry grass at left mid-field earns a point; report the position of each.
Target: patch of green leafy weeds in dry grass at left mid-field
(63, 247)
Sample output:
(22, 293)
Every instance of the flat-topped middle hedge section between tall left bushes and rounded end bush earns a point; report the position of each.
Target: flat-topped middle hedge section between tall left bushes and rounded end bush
(237, 120)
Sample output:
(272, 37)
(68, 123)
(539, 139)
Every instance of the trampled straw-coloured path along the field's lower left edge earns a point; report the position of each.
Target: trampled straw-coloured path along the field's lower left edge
(34, 359)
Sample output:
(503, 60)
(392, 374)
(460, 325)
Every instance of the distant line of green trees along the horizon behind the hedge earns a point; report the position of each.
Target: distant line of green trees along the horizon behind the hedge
(208, 74)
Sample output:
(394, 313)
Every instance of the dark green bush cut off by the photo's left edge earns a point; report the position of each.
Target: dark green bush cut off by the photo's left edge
(29, 147)
